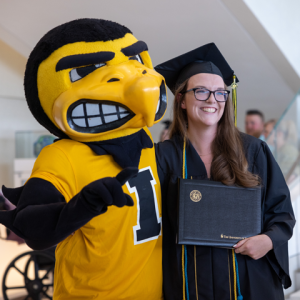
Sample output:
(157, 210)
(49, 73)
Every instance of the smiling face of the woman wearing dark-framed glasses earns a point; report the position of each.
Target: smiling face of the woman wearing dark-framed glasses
(203, 113)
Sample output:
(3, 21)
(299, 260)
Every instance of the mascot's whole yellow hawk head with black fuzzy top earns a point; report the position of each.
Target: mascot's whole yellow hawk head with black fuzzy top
(92, 80)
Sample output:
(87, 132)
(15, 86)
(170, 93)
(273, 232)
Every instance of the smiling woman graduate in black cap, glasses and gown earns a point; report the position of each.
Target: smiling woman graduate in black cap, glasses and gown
(203, 127)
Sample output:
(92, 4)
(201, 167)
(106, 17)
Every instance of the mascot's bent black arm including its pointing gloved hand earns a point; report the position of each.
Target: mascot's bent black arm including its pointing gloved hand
(43, 218)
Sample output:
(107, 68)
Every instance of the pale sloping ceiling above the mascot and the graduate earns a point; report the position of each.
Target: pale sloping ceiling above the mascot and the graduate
(170, 28)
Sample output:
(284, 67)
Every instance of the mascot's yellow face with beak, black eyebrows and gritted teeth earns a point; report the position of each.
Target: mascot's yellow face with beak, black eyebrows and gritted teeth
(101, 90)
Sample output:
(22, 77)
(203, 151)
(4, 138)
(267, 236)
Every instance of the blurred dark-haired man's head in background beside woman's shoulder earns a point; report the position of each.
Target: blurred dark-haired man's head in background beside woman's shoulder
(254, 123)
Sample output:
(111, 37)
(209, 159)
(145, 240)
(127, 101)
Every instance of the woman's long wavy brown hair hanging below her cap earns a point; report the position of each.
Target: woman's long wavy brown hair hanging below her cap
(229, 164)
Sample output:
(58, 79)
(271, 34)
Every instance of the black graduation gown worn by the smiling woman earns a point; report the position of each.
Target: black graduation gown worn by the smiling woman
(260, 279)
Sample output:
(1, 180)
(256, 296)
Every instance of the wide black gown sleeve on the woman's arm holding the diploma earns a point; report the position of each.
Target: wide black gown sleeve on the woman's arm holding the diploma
(277, 211)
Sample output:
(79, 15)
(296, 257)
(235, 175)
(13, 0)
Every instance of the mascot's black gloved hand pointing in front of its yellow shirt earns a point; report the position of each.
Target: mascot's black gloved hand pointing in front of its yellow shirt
(108, 191)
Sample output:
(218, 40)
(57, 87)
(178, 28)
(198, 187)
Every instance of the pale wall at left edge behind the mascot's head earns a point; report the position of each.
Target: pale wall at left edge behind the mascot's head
(14, 113)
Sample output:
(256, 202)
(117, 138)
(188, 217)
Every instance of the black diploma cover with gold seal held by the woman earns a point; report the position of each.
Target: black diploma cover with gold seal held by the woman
(213, 214)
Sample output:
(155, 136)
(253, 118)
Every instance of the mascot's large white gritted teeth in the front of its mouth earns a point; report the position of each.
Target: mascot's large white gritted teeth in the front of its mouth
(96, 114)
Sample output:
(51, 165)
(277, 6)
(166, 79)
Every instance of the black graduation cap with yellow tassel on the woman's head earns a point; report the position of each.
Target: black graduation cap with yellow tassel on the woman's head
(205, 59)
